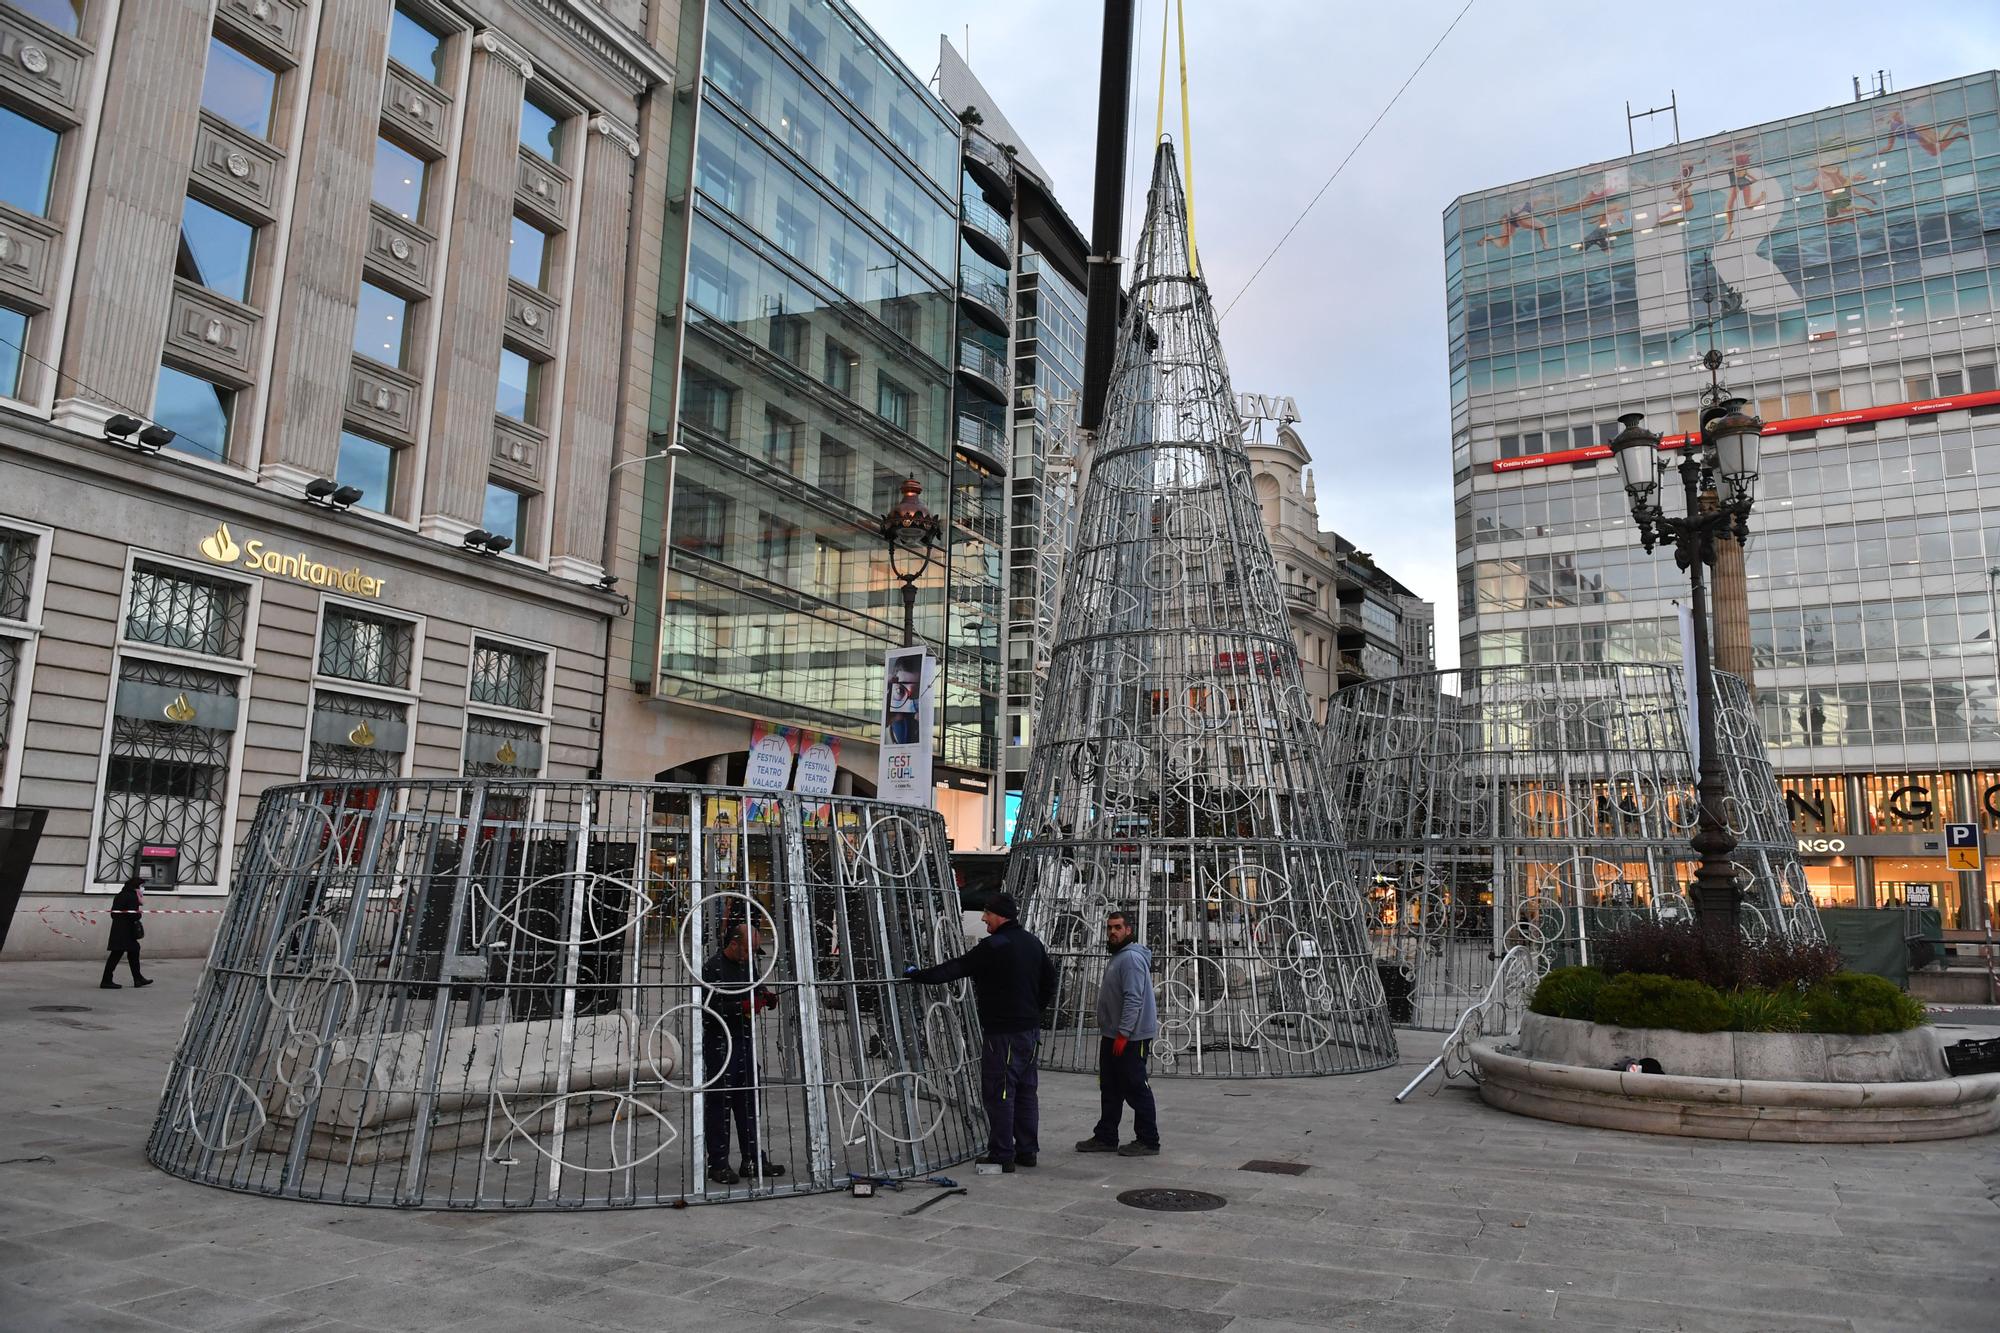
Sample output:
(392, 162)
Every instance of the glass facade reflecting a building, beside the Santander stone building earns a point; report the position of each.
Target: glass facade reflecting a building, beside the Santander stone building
(815, 369)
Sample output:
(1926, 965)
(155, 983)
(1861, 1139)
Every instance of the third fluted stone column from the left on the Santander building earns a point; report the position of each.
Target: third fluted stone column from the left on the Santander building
(473, 309)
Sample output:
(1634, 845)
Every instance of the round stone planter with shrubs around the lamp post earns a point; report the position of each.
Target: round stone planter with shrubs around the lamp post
(1753, 1042)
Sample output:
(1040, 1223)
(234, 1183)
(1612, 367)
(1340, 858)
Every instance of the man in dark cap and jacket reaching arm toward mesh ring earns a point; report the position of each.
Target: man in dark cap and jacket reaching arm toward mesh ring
(1013, 984)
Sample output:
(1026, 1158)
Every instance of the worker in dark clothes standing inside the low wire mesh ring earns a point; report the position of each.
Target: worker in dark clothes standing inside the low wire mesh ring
(729, 1058)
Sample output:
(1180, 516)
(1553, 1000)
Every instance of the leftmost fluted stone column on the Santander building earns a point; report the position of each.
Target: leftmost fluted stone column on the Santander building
(131, 225)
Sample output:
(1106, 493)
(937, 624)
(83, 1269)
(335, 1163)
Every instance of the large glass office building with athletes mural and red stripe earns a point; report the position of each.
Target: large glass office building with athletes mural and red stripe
(1845, 263)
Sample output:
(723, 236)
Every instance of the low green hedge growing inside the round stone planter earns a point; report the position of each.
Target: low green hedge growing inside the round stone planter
(1847, 1004)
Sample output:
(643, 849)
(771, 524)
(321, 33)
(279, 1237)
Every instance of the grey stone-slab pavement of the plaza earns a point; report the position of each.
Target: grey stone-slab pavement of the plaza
(1439, 1214)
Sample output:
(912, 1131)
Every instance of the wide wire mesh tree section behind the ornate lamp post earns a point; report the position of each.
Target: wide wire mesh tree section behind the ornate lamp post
(1543, 806)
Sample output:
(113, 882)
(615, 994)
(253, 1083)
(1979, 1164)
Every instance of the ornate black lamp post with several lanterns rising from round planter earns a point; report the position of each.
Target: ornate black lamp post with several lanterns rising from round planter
(1723, 457)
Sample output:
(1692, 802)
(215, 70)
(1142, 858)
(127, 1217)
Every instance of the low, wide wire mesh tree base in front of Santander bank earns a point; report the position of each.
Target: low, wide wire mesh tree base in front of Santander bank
(513, 996)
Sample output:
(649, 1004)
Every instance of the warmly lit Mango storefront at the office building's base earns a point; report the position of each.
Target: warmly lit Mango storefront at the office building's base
(1877, 840)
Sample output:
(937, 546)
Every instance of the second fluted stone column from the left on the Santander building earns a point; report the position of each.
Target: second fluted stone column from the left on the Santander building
(323, 265)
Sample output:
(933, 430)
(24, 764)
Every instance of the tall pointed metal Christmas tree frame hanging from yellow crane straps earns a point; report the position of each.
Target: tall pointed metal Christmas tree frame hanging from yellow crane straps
(1177, 768)
